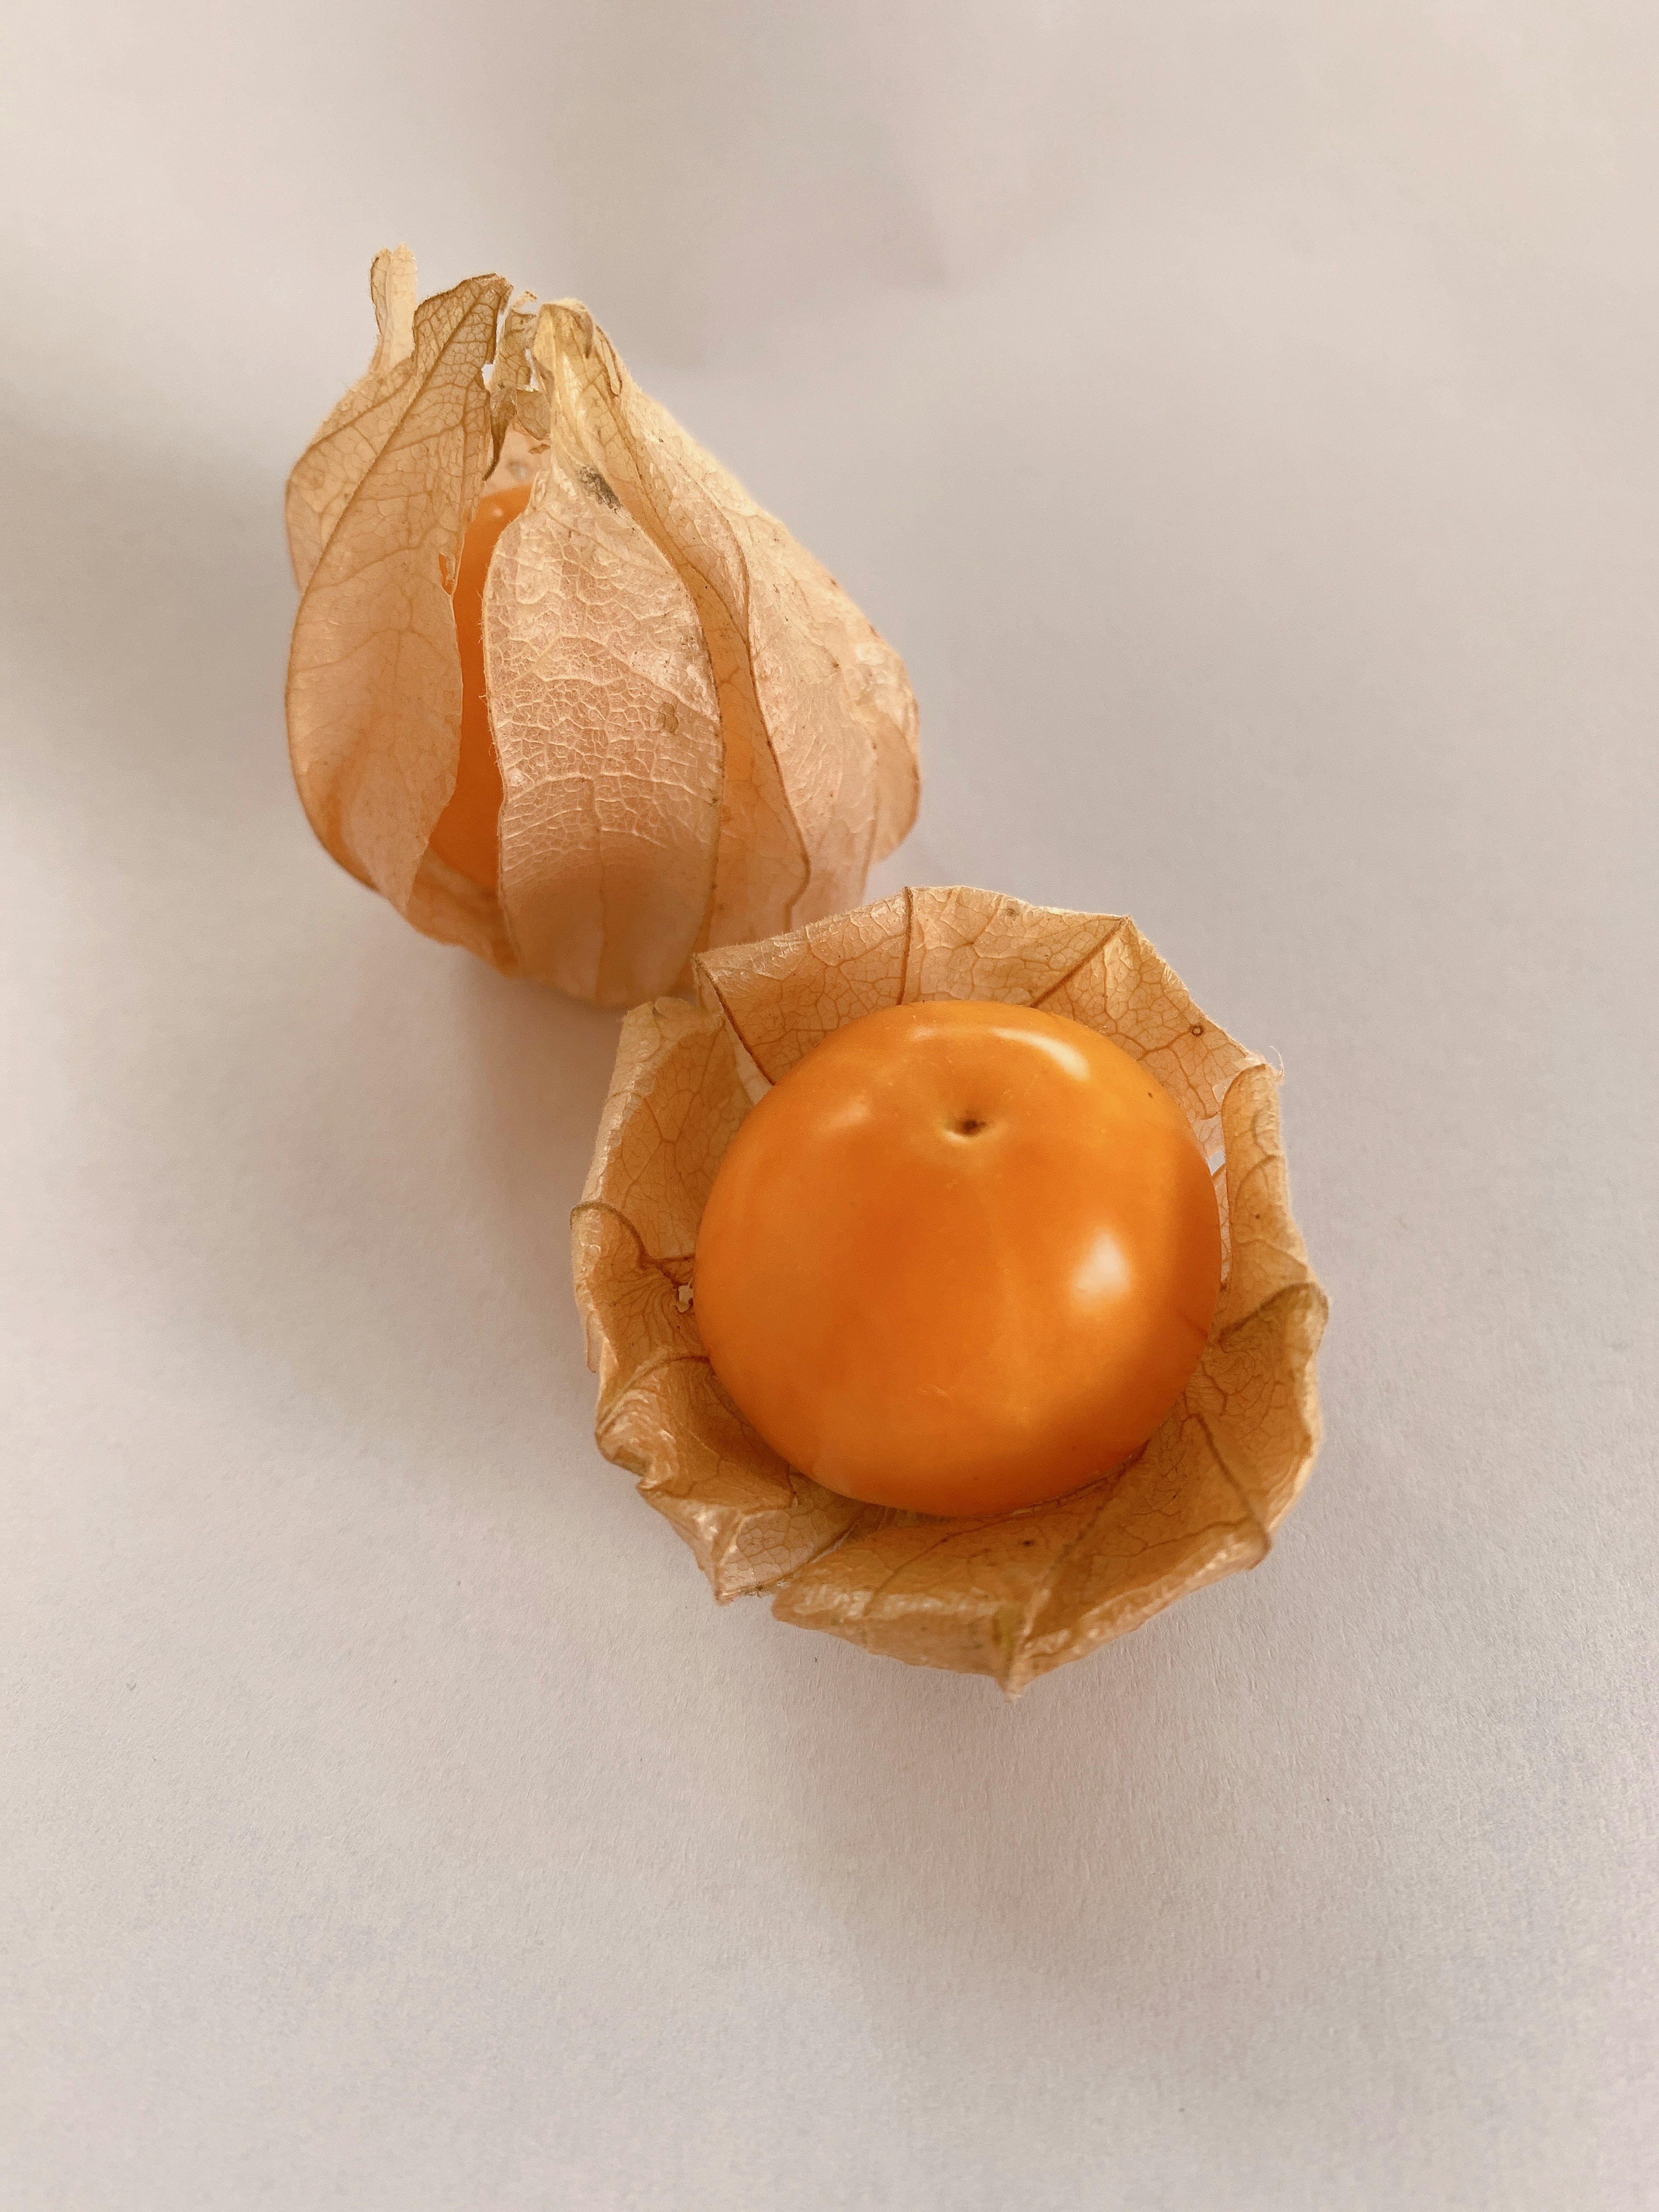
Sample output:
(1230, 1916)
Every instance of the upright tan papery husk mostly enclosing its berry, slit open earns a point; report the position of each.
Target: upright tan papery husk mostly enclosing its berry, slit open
(700, 738)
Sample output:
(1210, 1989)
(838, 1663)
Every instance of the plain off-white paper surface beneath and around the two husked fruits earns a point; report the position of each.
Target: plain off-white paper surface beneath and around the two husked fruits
(1244, 424)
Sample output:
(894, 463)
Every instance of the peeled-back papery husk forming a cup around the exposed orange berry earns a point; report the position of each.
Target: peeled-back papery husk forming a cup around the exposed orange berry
(1019, 1594)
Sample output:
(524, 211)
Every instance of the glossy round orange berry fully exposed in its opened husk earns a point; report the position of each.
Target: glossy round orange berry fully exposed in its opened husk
(961, 1260)
